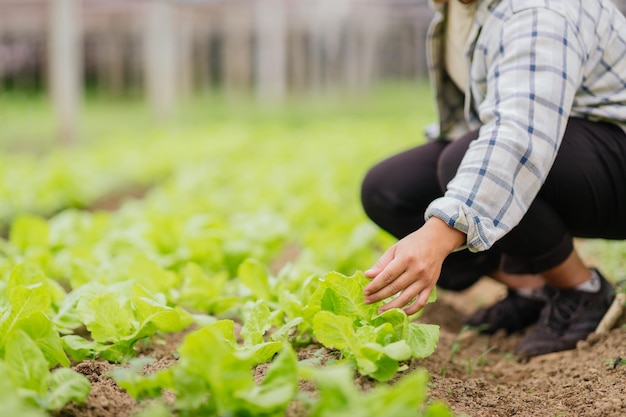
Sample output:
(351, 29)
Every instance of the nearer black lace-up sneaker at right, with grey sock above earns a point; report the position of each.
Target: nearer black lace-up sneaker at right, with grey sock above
(569, 316)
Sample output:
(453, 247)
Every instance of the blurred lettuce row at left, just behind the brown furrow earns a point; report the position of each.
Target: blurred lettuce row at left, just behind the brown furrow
(46, 181)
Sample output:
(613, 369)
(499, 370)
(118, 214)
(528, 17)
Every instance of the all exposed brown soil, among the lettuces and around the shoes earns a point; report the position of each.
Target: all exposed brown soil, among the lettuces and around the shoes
(476, 375)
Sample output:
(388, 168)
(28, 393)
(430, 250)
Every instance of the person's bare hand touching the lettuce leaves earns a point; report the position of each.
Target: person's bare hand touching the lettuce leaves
(411, 267)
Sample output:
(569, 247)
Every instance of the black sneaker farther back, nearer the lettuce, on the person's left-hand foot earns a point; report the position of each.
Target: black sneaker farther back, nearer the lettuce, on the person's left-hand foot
(513, 313)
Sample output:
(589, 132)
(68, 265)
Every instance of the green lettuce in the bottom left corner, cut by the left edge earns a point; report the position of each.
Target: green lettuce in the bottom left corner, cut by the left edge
(30, 345)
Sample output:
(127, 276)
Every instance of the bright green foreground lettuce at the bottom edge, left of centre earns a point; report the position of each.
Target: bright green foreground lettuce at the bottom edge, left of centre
(213, 376)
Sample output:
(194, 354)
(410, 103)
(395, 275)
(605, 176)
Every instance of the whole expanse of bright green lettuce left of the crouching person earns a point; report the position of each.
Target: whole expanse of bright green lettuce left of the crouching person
(235, 242)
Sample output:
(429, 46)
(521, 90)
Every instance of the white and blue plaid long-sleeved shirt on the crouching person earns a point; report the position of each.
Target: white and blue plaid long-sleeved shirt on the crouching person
(533, 64)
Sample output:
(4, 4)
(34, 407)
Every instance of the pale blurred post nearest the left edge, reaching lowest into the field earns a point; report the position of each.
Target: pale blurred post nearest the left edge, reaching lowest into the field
(65, 65)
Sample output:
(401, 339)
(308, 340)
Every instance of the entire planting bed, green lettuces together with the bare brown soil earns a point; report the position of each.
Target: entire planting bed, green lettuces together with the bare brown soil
(219, 252)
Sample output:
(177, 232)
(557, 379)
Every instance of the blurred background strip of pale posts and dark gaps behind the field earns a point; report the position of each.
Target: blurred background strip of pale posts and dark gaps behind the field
(165, 51)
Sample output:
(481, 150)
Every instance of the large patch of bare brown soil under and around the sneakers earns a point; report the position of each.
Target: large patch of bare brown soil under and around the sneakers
(483, 379)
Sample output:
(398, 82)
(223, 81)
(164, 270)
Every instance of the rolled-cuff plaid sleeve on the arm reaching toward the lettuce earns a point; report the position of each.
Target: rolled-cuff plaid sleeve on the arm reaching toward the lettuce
(533, 70)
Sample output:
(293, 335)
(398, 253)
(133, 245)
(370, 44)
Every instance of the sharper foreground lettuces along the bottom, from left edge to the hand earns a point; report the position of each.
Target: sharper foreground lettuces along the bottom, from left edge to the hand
(213, 374)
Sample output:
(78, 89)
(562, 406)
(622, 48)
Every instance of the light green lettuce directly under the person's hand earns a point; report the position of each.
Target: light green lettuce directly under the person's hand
(377, 343)
